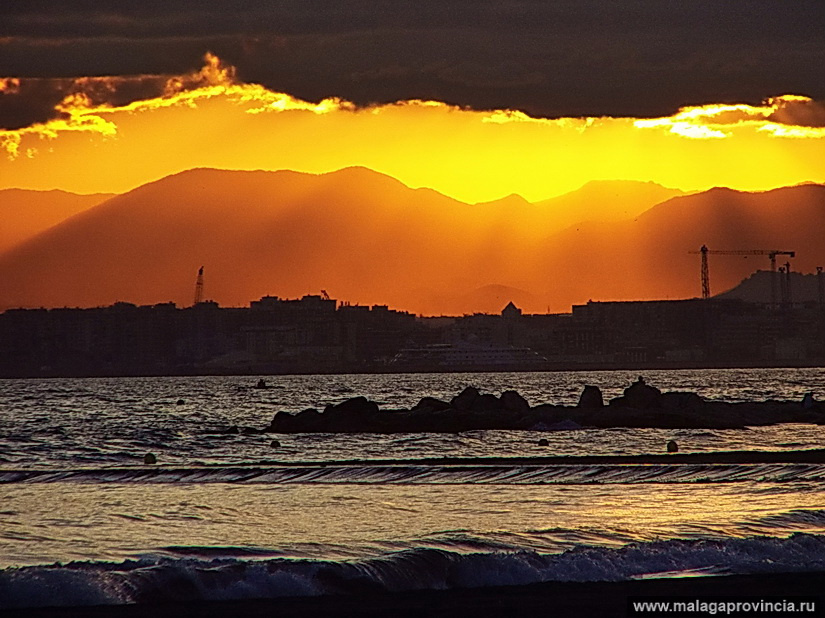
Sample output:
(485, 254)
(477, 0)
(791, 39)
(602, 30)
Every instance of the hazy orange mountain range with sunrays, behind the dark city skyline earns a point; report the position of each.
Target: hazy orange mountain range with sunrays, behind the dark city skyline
(367, 238)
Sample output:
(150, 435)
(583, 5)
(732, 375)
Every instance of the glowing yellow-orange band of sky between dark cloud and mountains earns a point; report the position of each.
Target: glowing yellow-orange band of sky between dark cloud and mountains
(469, 155)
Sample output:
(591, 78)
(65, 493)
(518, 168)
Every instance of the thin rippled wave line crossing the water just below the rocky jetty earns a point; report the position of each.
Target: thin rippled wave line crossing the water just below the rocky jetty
(432, 474)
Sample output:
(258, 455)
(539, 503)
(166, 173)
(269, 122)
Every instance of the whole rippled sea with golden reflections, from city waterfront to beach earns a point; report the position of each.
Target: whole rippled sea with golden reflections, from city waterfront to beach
(84, 521)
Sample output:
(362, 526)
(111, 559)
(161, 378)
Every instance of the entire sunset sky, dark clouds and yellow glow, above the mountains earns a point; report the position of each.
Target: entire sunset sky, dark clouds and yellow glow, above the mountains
(477, 100)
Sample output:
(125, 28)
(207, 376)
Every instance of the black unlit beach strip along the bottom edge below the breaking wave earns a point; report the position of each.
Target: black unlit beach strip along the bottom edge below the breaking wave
(549, 599)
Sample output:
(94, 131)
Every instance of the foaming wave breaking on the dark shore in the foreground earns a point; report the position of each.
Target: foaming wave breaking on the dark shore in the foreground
(164, 579)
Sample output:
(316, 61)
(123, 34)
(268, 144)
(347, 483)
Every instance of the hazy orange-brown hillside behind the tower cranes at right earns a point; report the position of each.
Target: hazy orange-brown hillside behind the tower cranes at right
(648, 258)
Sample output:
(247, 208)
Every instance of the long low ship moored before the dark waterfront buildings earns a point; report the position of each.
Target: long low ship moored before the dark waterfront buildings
(466, 356)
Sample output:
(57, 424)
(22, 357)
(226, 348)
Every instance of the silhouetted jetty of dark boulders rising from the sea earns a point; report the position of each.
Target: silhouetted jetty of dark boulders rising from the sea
(641, 405)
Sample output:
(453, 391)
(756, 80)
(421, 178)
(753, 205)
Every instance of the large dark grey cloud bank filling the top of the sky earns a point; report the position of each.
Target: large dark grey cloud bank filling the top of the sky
(562, 58)
